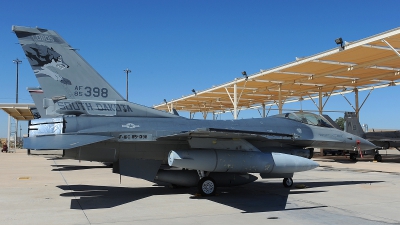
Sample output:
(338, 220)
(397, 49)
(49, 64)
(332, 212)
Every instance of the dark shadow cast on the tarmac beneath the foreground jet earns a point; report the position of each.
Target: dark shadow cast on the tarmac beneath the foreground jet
(250, 198)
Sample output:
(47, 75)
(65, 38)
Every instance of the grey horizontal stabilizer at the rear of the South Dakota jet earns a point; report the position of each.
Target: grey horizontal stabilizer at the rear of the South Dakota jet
(62, 141)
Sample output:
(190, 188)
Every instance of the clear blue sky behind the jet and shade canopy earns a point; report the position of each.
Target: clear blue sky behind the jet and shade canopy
(175, 46)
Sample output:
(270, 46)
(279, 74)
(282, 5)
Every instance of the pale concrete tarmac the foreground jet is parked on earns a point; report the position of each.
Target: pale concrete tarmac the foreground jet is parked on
(49, 190)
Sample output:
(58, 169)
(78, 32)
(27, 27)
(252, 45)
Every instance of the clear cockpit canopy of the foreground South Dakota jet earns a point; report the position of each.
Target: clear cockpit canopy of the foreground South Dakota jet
(307, 118)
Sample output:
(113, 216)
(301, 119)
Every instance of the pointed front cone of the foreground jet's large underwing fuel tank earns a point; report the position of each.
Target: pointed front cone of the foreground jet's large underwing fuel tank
(290, 163)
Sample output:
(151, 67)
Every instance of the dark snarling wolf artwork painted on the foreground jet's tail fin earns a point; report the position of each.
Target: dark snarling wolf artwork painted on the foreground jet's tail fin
(46, 62)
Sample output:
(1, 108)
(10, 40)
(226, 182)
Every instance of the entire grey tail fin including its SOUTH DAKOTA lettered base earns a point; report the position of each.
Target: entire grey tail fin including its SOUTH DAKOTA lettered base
(71, 86)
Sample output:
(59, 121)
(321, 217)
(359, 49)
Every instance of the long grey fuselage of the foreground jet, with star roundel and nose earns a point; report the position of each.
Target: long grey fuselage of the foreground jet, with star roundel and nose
(127, 129)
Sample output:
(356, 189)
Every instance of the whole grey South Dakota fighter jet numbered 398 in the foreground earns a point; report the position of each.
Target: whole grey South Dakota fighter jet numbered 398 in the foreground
(92, 121)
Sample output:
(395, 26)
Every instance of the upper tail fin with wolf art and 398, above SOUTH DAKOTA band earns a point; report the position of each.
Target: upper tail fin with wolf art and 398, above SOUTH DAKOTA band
(60, 70)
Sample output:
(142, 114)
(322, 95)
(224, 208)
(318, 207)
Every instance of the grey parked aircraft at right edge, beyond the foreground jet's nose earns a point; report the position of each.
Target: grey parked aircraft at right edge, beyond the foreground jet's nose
(382, 139)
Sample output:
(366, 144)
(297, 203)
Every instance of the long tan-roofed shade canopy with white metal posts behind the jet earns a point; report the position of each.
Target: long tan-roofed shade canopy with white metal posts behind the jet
(366, 64)
